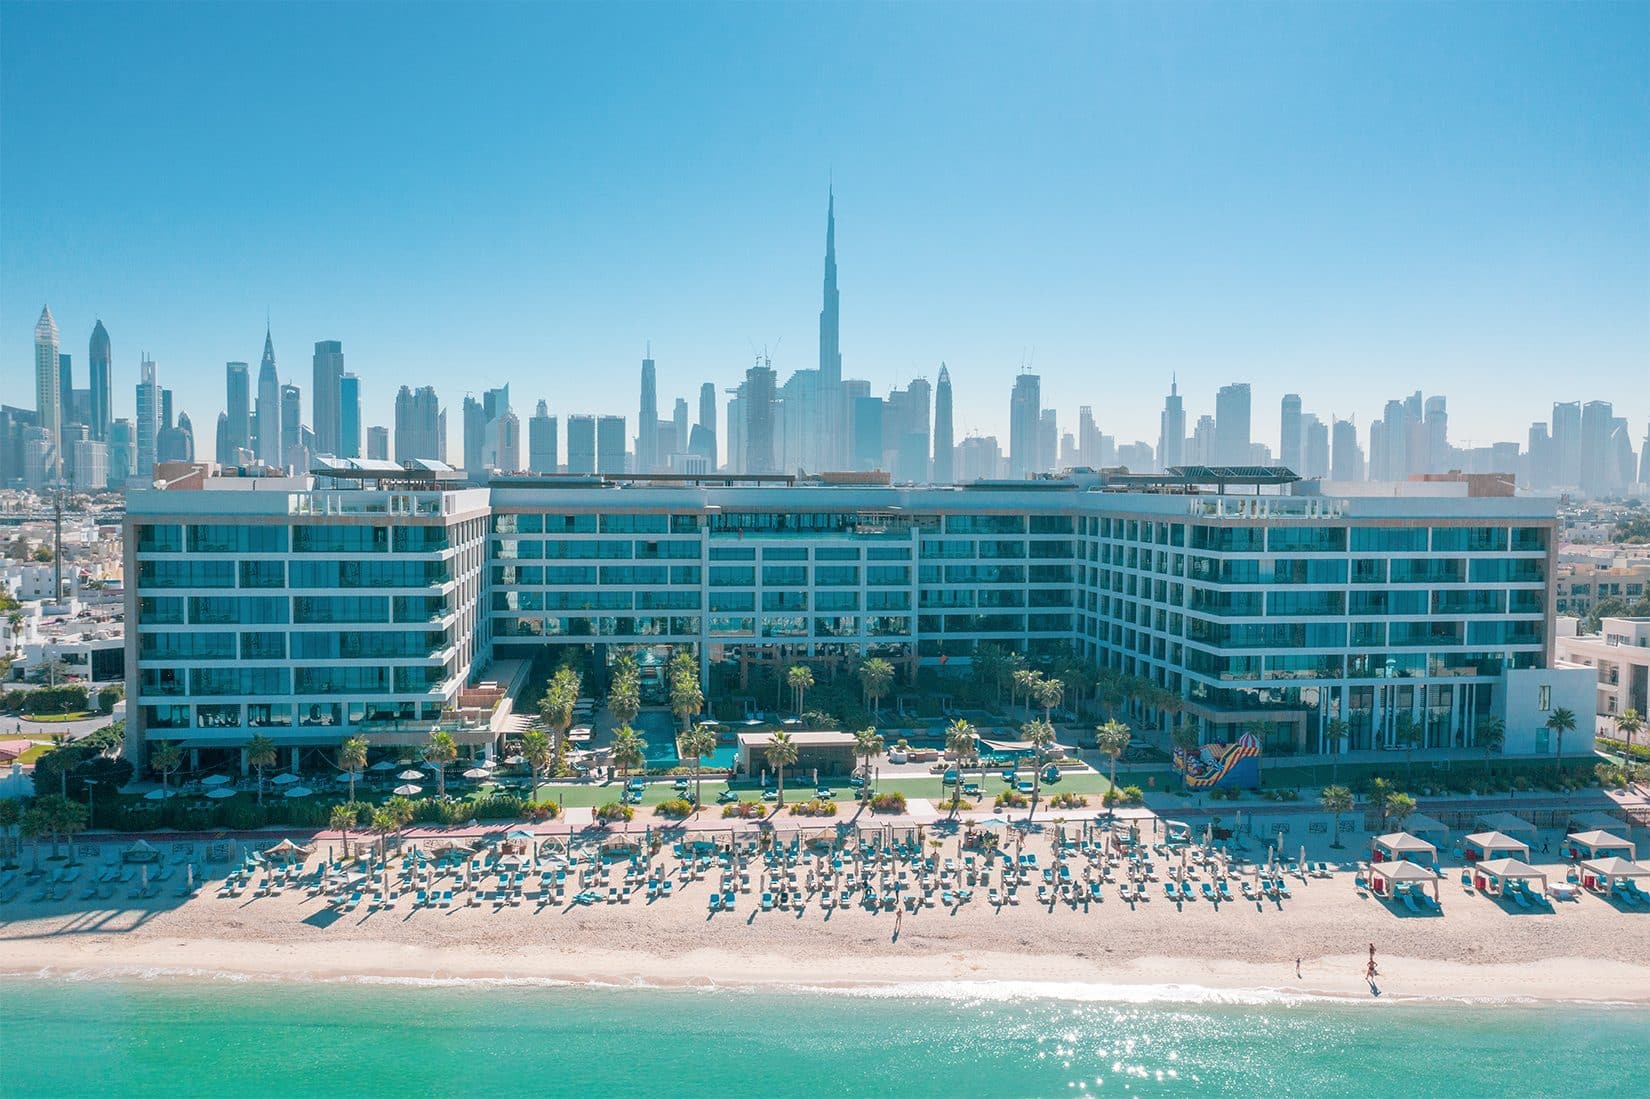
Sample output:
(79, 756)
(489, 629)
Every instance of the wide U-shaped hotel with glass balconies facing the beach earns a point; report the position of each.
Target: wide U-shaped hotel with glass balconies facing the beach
(364, 601)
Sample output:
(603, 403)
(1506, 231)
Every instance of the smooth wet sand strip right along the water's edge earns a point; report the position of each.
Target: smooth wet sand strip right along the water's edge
(992, 976)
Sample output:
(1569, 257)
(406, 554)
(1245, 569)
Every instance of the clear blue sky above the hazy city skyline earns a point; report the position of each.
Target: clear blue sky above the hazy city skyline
(1342, 200)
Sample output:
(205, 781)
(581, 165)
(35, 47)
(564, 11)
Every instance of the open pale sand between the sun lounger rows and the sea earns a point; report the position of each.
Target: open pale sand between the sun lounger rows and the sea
(1479, 950)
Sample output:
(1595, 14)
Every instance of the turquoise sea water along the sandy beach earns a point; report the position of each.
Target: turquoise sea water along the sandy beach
(255, 1039)
